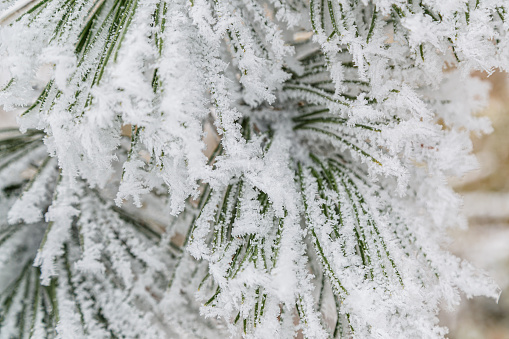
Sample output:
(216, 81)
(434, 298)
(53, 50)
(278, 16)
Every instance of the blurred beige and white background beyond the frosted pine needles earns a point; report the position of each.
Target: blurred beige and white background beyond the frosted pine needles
(486, 242)
